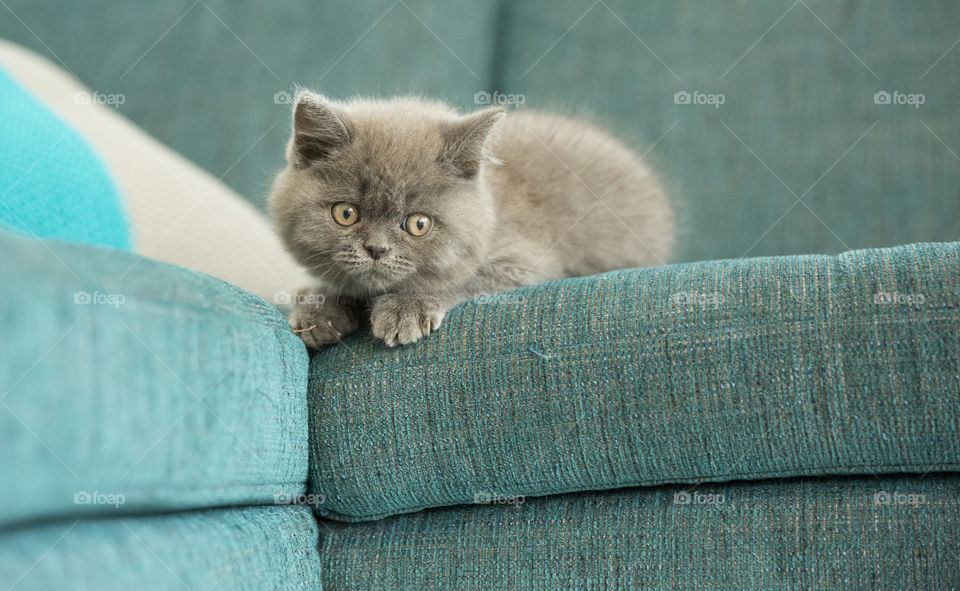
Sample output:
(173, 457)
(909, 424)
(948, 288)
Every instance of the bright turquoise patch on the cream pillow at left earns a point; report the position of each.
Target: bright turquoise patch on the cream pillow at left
(52, 184)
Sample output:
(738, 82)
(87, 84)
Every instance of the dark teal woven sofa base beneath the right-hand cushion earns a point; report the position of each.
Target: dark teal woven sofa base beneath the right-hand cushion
(838, 533)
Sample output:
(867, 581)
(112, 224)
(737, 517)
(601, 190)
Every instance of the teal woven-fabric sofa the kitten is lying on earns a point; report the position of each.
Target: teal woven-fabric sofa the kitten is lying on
(779, 408)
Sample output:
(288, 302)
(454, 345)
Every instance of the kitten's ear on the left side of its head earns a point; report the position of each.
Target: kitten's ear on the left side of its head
(319, 129)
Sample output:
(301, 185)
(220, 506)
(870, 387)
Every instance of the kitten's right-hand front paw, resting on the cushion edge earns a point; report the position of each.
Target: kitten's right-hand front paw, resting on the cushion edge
(400, 320)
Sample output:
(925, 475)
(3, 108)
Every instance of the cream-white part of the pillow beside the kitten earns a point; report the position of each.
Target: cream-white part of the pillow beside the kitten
(178, 212)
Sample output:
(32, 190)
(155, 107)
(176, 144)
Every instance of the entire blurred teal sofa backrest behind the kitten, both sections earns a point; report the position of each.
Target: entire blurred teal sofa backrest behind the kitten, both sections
(798, 79)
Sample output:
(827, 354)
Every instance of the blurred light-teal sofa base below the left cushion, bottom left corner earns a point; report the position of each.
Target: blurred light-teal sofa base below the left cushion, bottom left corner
(251, 549)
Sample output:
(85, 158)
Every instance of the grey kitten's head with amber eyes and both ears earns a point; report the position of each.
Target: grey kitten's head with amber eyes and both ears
(379, 193)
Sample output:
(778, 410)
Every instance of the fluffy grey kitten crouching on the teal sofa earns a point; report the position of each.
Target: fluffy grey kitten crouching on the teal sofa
(403, 208)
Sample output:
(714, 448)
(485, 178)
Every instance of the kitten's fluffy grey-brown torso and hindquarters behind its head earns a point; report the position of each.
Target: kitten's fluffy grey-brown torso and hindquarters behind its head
(575, 201)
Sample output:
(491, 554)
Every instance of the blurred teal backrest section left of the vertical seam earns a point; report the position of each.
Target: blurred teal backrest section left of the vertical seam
(207, 86)
